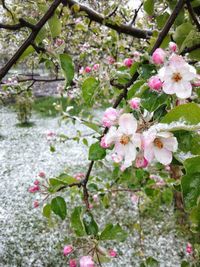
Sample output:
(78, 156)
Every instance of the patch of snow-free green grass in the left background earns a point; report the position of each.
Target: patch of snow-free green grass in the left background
(45, 105)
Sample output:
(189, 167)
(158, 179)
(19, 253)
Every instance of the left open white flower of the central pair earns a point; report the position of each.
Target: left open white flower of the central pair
(125, 139)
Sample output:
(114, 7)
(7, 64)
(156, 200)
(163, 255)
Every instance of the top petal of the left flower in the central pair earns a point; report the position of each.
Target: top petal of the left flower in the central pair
(127, 124)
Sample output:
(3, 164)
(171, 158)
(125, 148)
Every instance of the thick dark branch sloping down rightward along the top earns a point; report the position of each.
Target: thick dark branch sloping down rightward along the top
(122, 28)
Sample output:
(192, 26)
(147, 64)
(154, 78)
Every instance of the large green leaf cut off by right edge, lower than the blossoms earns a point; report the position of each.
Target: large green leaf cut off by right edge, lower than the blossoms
(190, 182)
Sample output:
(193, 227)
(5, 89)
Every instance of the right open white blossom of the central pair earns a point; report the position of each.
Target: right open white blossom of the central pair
(159, 146)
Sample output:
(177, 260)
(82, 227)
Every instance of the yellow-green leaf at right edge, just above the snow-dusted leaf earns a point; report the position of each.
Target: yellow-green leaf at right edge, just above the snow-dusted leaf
(188, 113)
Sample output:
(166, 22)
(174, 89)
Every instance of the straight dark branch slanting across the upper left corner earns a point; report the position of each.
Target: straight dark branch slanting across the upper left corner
(30, 39)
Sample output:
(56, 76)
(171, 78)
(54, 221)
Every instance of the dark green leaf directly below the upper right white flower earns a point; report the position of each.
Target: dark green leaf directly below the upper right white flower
(151, 100)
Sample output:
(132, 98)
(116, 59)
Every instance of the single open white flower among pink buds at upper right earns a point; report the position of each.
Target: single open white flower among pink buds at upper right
(177, 76)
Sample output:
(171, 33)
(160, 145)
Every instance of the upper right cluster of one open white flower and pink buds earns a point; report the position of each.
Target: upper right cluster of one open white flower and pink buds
(175, 76)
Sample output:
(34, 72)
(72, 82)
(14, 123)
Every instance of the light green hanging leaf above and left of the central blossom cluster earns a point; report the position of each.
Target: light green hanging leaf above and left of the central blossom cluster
(89, 87)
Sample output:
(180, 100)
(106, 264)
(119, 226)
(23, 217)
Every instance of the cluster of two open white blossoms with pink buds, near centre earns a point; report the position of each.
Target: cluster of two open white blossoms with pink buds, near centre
(132, 145)
